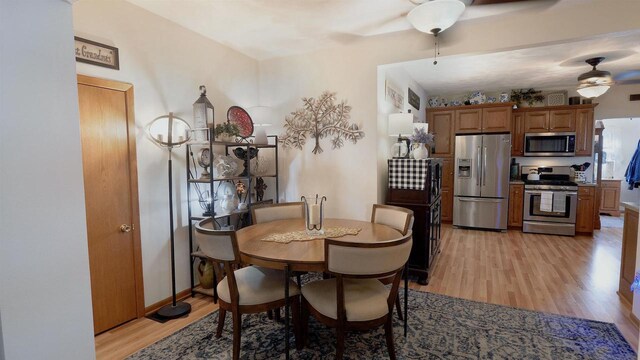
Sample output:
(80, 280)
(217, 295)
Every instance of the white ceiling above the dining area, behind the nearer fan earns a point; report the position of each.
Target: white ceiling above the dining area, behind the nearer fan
(271, 28)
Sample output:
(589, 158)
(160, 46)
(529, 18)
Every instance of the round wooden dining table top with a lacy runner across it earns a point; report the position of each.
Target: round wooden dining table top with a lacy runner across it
(305, 255)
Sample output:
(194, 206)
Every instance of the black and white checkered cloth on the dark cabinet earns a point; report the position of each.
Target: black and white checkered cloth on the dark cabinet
(408, 174)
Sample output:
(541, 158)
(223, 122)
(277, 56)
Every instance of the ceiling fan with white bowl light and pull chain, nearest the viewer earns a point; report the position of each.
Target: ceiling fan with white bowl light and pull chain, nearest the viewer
(435, 16)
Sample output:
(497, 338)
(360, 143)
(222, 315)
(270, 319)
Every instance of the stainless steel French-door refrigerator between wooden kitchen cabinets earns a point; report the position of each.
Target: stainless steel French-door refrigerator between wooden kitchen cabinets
(481, 188)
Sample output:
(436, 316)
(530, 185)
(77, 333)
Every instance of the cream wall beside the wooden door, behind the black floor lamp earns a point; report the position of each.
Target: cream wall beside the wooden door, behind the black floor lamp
(165, 63)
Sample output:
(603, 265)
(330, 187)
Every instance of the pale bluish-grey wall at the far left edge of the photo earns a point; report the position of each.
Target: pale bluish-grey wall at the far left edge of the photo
(45, 296)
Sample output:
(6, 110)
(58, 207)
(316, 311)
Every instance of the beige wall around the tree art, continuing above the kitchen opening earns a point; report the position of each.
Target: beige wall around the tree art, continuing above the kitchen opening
(352, 70)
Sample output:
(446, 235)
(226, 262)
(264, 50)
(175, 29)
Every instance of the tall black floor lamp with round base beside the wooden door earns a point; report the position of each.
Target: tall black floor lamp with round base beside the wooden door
(169, 131)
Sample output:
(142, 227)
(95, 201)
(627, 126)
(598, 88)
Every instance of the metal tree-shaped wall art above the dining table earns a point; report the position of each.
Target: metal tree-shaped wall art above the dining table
(320, 118)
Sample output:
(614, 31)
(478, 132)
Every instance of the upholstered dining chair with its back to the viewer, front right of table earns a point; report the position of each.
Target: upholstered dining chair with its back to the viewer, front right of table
(355, 299)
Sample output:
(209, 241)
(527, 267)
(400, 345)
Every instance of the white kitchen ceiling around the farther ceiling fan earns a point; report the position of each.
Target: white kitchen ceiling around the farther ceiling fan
(545, 67)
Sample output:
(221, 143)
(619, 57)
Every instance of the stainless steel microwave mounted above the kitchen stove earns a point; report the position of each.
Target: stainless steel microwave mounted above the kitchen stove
(550, 144)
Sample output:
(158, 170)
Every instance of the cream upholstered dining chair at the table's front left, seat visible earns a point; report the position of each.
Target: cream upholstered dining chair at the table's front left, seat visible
(246, 290)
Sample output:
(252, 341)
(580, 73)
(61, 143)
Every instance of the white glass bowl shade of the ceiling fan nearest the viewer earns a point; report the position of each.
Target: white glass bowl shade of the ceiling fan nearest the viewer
(435, 16)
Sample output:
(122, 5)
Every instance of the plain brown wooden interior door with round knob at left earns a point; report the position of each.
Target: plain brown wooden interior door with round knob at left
(110, 184)
